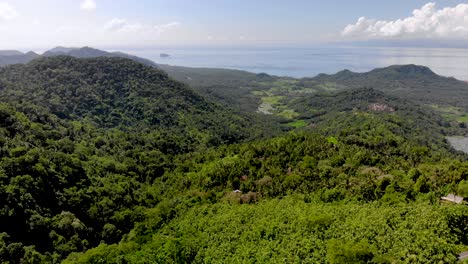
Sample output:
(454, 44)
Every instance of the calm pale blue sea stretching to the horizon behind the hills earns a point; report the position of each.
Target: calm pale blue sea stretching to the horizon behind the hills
(308, 62)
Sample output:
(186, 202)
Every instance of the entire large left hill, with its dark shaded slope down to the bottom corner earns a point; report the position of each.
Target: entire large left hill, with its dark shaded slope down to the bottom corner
(83, 140)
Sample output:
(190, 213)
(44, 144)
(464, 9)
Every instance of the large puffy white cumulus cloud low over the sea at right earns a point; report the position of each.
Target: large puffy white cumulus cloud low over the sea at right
(427, 22)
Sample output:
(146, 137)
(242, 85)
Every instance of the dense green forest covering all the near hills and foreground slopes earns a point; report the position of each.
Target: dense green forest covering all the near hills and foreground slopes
(109, 161)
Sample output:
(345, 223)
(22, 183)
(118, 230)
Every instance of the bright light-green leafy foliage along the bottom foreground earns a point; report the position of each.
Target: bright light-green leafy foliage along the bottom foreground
(290, 230)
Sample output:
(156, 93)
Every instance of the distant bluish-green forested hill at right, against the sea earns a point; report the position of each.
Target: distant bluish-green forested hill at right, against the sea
(418, 83)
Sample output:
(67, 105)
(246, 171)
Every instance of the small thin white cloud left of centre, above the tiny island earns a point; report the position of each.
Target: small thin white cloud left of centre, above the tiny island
(122, 25)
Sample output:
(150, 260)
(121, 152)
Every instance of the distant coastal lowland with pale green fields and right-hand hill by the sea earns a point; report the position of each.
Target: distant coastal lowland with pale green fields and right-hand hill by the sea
(255, 92)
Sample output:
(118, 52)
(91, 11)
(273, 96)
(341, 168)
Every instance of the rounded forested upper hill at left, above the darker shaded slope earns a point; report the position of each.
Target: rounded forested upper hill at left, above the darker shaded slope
(116, 92)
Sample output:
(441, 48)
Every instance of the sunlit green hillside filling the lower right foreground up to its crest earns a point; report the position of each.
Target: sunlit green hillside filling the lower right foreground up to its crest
(352, 189)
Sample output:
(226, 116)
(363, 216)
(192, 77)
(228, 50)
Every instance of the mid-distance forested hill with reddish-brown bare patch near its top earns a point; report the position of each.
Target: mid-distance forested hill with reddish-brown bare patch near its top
(416, 122)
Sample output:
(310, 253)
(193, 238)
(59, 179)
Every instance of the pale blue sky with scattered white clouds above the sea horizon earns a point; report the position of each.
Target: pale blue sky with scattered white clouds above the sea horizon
(113, 24)
